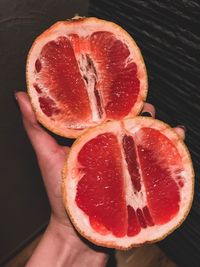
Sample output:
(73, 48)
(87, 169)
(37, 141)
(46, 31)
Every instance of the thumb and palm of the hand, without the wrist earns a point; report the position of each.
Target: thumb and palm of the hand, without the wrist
(51, 157)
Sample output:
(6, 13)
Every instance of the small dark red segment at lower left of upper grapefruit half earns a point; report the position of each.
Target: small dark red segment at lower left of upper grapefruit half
(48, 106)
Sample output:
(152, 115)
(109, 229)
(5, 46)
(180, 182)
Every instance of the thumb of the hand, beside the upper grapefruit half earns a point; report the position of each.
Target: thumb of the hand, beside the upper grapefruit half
(43, 144)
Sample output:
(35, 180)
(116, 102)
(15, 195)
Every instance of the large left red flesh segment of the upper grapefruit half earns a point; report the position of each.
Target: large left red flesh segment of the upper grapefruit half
(60, 74)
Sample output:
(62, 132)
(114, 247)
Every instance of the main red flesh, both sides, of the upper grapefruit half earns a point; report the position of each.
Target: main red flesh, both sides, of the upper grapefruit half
(116, 86)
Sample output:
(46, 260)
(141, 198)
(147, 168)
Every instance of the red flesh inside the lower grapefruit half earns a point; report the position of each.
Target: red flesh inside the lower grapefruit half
(101, 193)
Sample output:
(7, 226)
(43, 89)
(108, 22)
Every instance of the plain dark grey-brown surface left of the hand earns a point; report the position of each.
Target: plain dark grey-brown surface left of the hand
(23, 203)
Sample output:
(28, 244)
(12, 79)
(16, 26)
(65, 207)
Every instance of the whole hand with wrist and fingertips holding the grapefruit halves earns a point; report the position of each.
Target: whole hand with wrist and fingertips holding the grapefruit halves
(60, 245)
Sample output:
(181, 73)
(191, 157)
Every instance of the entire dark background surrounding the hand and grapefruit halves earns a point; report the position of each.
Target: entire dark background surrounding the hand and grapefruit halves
(167, 33)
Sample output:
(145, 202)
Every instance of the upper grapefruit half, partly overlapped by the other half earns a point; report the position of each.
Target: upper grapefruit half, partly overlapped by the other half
(83, 72)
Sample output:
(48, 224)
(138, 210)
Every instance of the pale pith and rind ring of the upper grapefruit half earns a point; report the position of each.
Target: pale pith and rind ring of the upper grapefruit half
(83, 29)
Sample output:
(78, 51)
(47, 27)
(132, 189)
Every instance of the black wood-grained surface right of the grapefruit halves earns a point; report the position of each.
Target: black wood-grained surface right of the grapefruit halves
(168, 34)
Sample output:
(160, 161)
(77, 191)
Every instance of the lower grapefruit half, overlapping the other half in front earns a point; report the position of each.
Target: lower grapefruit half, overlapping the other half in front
(128, 182)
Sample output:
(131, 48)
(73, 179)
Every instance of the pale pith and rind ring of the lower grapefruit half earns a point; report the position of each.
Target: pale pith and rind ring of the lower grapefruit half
(148, 234)
